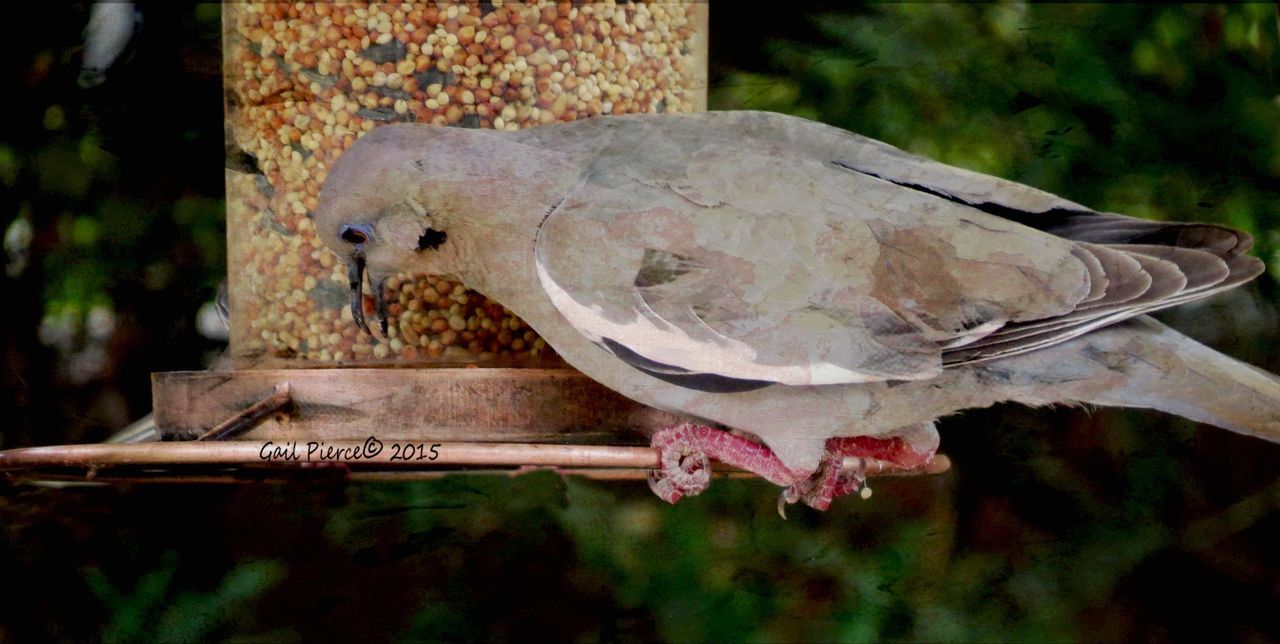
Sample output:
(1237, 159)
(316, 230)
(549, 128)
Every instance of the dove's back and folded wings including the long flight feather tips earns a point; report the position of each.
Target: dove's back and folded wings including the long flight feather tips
(769, 249)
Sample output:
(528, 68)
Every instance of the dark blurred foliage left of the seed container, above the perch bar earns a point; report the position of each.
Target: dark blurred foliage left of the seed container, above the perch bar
(113, 234)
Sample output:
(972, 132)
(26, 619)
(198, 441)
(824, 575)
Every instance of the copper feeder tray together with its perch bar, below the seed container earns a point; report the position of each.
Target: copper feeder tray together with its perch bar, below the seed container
(377, 424)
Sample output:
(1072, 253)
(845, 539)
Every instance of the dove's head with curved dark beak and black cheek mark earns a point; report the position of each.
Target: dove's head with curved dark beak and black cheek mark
(390, 204)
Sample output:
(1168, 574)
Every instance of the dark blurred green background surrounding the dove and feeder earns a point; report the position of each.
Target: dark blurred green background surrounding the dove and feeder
(1060, 524)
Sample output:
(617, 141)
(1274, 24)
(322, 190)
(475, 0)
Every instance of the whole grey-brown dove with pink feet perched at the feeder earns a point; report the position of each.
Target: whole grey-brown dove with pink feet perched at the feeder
(799, 293)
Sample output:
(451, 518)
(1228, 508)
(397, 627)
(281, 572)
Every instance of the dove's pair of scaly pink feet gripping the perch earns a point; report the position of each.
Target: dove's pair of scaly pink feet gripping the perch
(687, 451)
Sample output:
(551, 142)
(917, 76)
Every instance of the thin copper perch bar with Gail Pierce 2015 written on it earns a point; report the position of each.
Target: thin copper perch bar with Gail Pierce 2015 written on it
(596, 462)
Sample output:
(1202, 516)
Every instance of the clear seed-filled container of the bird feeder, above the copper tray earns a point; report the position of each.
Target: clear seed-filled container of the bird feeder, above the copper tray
(305, 81)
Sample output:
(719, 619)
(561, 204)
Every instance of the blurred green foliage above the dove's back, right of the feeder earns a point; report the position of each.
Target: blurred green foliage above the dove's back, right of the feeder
(1163, 112)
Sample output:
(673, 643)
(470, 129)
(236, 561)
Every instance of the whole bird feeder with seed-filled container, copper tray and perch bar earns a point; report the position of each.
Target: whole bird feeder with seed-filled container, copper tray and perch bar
(304, 83)
